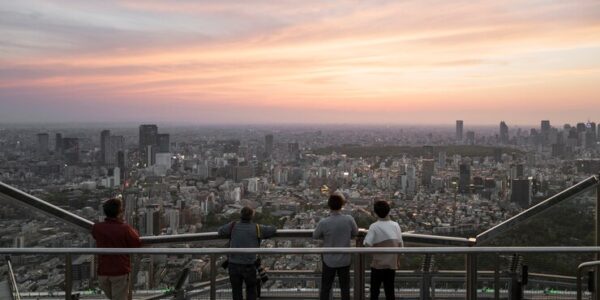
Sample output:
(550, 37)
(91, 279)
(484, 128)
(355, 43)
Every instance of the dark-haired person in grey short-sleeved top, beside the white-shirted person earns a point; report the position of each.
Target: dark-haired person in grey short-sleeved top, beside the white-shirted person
(336, 230)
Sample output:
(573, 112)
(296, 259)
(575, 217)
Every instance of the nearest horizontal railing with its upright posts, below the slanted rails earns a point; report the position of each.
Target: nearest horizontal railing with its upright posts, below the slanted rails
(469, 274)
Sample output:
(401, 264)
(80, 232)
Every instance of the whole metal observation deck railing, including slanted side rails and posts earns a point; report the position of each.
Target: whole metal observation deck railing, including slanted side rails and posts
(468, 248)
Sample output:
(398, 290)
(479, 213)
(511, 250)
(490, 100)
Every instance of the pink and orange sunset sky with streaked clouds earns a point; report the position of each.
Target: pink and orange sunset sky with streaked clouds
(278, 61)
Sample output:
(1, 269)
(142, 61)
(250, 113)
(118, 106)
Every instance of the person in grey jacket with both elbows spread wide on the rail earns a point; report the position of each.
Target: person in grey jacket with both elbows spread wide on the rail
(242, 267)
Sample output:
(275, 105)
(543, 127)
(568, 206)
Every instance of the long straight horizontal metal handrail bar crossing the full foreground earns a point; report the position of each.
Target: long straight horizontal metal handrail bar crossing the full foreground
(350, 250)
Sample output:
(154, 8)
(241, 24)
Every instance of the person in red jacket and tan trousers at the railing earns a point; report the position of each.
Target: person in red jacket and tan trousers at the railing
(113, 270)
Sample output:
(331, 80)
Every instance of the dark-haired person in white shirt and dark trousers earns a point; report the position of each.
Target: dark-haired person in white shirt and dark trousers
(383, 233)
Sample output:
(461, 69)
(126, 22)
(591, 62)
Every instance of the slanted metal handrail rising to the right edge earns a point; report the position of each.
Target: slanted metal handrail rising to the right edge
(570, 192)
